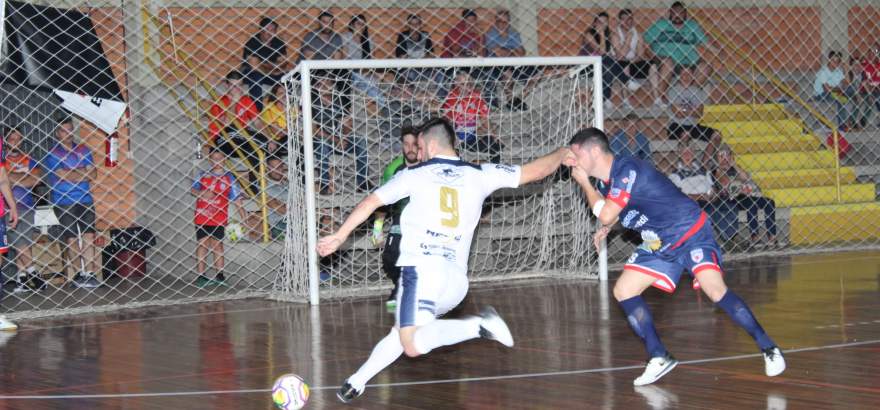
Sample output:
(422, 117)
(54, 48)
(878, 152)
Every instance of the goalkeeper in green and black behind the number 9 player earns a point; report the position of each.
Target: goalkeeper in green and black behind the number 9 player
(408, 158)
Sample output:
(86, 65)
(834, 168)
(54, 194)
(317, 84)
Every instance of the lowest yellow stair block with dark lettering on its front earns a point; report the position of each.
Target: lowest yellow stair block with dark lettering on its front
(835, 223)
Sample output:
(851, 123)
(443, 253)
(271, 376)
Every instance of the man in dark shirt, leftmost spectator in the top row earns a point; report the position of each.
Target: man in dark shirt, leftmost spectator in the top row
(264, 60)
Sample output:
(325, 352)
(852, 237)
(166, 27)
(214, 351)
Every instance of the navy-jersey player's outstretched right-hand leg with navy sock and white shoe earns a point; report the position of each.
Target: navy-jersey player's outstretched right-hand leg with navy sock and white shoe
(712, 283)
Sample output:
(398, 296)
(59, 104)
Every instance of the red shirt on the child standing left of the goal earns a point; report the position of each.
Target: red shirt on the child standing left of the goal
(215, 211)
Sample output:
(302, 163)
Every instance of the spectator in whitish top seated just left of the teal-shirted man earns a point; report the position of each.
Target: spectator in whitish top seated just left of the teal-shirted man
(629, 51)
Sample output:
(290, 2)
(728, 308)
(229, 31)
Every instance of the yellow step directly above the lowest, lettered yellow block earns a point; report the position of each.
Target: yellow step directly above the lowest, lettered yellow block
(821, 195)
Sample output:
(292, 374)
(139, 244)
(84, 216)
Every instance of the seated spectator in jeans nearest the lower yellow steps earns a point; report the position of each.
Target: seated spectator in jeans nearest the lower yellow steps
(736, 193)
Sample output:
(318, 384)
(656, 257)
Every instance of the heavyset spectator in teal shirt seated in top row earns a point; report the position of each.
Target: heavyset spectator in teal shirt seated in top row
(675, 41)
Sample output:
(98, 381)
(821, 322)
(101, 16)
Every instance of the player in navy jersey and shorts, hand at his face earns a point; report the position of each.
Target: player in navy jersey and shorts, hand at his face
(676, 236)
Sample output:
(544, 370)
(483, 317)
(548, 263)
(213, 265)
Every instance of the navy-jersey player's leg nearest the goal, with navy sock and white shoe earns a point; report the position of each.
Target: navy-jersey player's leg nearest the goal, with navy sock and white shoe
(628, 291)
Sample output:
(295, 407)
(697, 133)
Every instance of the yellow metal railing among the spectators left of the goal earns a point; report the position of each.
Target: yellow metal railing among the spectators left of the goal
(260, 169)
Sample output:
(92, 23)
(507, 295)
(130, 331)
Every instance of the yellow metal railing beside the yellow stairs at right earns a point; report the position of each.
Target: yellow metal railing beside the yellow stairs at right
(776, 82)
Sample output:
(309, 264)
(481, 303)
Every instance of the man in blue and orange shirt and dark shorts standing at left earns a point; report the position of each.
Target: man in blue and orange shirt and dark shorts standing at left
(70, 169)
